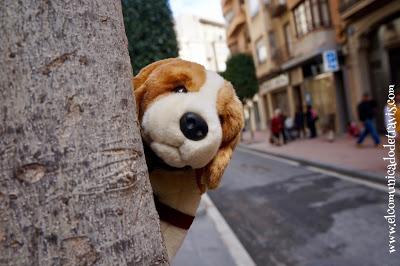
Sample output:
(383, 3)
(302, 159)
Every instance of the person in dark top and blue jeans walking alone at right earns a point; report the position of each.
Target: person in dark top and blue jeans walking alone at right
(366, 113)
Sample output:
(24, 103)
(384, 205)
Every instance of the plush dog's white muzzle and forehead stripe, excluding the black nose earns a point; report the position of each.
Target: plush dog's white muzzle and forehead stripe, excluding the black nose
(161, 125)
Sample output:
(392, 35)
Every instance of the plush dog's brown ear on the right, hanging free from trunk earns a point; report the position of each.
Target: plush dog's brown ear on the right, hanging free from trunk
(231, 110)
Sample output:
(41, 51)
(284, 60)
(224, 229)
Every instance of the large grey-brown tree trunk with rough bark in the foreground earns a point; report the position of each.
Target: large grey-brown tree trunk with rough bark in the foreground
(73, 181)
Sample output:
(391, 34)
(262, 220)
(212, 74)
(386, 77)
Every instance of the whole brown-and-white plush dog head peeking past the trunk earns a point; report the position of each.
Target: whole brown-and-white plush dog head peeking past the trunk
(189, 116)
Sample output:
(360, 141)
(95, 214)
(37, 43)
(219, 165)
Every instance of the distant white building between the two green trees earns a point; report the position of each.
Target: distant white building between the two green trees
(202, 41)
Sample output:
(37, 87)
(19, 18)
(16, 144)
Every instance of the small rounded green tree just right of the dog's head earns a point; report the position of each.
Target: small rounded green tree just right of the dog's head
(240, 71)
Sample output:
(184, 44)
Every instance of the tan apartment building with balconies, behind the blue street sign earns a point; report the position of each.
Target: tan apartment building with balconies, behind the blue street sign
(297, 57)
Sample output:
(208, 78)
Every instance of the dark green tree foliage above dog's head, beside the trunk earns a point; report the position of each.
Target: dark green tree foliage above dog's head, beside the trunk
(150, 30)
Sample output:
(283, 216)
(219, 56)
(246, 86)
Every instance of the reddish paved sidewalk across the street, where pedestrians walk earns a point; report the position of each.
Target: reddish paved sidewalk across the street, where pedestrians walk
(341, 154)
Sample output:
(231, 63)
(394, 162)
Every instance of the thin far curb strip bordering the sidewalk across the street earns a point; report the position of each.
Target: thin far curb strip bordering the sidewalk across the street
(353, 173)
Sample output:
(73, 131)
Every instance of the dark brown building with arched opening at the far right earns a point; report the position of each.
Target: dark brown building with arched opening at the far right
(371, 46)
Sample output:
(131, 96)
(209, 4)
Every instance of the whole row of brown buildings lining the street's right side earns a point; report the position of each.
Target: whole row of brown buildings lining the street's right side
(324, 53)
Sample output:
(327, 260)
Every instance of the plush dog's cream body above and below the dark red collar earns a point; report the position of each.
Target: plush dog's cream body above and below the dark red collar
(179, 191)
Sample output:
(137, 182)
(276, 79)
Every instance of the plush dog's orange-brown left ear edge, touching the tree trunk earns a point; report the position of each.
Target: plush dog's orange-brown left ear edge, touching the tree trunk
(138, 89)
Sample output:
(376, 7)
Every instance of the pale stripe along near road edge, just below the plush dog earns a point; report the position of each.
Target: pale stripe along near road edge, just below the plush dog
(232, 243)
